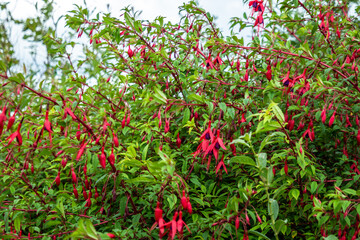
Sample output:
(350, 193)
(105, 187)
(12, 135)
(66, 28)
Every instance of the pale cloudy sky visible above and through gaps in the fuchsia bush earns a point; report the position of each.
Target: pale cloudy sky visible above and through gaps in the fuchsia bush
(22, 9)
